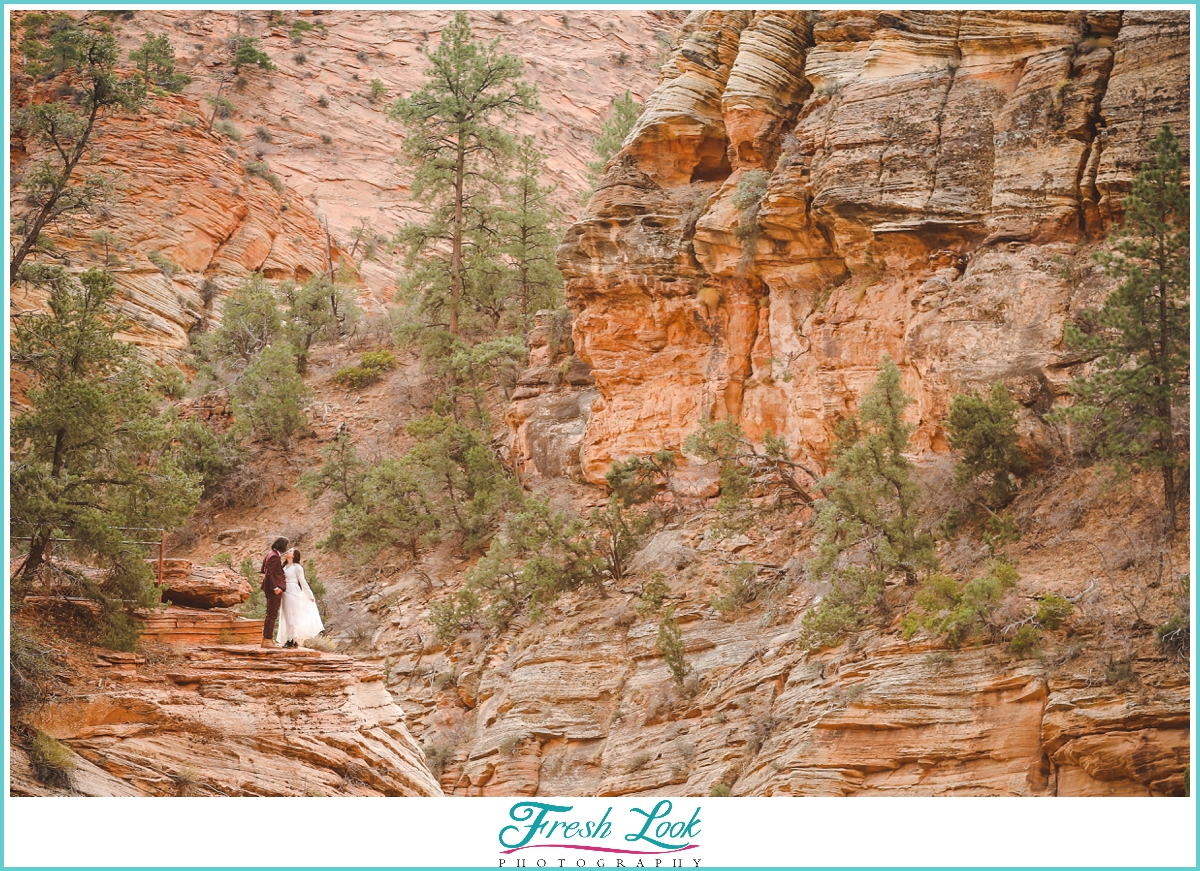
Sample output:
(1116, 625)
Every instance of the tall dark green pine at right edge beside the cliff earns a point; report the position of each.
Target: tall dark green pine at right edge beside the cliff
(1143, 341)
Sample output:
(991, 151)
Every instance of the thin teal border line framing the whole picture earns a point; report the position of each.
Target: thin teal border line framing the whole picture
(635, 5)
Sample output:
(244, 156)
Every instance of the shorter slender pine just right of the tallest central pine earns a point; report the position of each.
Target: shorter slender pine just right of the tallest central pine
(532, 227)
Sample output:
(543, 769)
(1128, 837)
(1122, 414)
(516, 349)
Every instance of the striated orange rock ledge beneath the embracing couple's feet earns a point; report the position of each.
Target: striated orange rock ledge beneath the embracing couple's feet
(236, 722)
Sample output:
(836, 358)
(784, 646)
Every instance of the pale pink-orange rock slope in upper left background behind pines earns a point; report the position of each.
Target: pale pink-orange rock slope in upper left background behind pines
(187, 194)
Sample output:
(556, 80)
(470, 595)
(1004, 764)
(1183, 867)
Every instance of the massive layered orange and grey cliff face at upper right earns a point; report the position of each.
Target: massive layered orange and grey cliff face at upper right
(808, 193)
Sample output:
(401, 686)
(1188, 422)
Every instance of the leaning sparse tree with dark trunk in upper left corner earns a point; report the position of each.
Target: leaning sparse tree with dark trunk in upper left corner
(65, 130)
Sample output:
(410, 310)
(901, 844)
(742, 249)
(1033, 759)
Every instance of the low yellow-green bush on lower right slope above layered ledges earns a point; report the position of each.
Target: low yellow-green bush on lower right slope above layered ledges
(961, 616)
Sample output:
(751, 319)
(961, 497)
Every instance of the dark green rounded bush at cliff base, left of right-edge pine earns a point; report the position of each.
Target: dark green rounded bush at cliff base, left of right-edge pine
(986, 433)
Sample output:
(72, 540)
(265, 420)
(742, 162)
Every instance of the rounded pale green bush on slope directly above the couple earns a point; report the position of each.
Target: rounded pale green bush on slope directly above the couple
(272, 398)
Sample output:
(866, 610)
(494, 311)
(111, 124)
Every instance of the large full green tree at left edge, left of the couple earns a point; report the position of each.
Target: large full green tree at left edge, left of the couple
(94, 453)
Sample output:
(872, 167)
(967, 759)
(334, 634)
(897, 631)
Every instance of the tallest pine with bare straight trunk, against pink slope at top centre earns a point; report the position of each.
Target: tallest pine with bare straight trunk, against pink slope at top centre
(459, 148)
